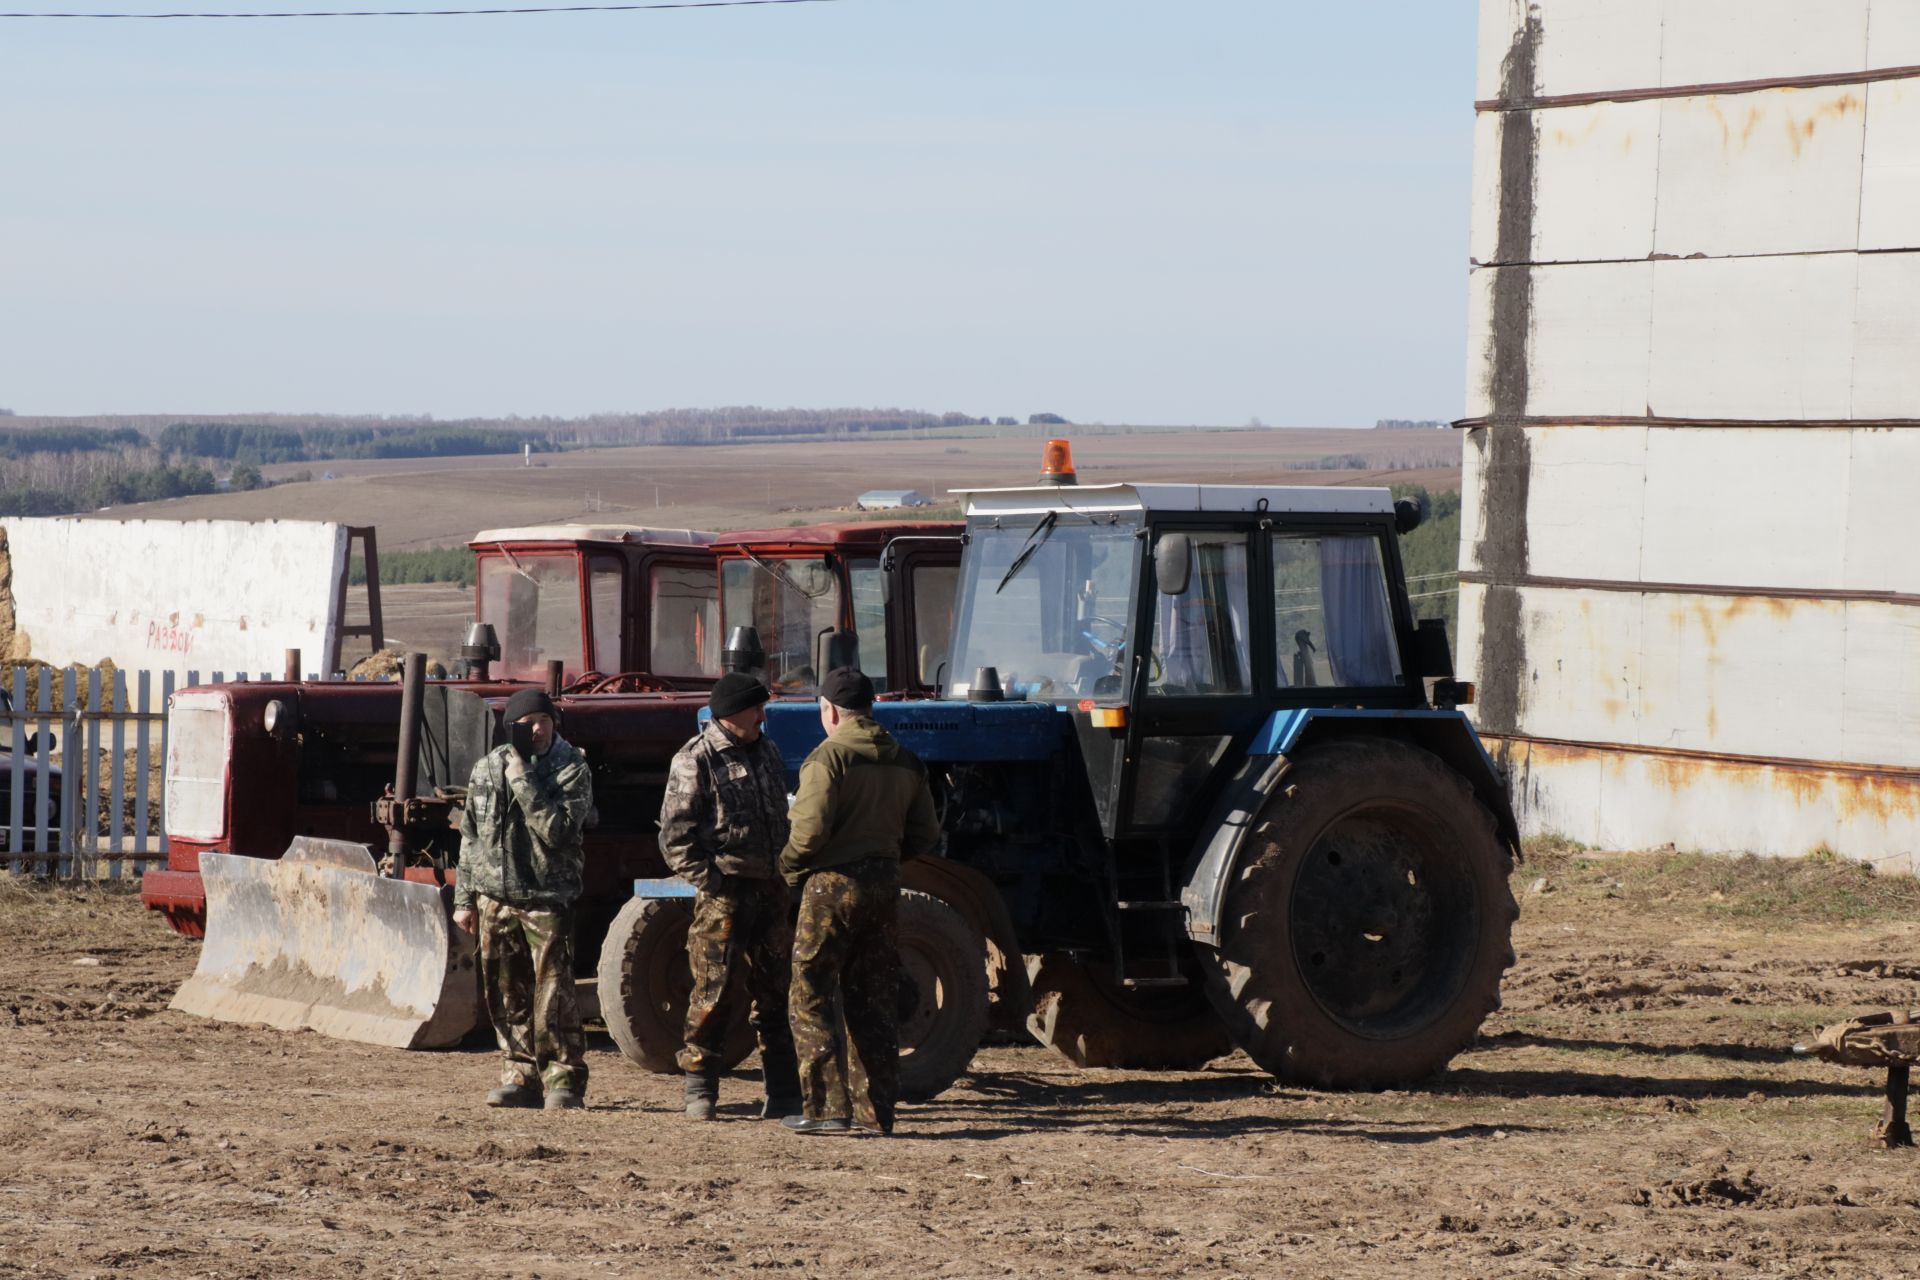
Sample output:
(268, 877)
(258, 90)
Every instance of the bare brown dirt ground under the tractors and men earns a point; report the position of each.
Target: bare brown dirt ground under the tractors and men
(1635, 1110)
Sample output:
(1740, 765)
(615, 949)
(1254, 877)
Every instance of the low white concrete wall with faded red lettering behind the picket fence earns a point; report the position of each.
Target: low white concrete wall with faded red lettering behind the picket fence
(210, 596)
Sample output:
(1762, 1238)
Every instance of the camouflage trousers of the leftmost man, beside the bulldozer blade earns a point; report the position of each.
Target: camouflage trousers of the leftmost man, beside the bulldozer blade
(527, 968)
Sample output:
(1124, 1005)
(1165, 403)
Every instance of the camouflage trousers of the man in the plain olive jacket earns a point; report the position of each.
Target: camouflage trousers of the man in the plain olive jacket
(848, 947)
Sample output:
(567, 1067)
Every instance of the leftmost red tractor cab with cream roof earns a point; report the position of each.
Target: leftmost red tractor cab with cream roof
(602, 602)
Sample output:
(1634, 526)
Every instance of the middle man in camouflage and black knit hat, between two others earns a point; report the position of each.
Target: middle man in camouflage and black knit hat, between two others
(723, 826)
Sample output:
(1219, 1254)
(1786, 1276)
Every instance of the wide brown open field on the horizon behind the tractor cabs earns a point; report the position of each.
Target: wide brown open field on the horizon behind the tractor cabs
(443, 502)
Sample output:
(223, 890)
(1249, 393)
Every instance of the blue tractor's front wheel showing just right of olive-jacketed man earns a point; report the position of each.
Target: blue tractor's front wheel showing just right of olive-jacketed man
(944, 995)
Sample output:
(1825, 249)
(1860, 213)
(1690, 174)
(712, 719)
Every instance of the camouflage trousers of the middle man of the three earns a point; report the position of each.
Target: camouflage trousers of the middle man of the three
(740, 947)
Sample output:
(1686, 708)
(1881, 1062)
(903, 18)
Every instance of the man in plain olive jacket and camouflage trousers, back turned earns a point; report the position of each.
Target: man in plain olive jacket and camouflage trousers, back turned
(863, 805)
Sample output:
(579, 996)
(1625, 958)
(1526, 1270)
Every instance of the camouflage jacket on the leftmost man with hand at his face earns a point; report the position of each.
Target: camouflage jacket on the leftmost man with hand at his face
(521, 840)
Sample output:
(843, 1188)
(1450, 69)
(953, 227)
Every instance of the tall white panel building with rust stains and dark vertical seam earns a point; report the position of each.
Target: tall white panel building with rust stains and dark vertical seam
(1694, 421)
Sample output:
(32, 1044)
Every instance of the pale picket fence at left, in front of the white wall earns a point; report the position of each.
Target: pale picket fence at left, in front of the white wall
(108, 820)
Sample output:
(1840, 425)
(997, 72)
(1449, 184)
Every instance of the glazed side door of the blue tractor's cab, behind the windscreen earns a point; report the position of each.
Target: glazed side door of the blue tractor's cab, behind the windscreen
(1199, 686)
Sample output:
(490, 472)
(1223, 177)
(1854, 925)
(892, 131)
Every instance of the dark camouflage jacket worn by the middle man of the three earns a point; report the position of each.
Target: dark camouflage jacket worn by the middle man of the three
(727, 807)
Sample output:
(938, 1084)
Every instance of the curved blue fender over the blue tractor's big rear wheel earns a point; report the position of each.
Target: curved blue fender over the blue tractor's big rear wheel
(1216, 857)
